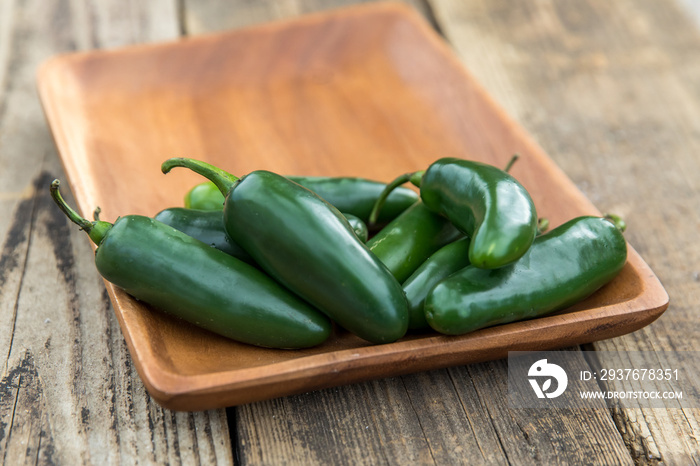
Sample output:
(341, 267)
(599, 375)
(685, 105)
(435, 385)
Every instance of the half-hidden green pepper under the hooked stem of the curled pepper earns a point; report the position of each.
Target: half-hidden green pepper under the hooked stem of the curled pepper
(408, 240)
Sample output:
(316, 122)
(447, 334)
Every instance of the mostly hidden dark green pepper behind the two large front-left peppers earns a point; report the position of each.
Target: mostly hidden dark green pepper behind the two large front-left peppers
(208, 227)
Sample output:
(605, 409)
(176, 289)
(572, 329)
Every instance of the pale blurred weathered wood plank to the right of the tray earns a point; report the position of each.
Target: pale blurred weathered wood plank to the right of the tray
(609, 90)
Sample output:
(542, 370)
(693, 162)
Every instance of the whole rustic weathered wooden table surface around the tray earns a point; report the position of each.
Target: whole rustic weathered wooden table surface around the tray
(609, 89)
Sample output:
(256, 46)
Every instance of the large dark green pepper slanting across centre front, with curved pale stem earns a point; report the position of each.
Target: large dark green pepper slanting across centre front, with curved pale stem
(307, 245)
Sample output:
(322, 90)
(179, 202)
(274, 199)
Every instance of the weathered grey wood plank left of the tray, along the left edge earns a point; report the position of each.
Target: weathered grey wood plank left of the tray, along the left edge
(68, 391)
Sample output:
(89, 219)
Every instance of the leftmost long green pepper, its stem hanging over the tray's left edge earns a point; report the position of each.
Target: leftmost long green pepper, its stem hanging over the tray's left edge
(188, 279)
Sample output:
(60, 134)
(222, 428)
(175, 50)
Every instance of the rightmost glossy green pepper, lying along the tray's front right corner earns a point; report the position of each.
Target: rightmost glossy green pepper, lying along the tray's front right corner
(561, 268)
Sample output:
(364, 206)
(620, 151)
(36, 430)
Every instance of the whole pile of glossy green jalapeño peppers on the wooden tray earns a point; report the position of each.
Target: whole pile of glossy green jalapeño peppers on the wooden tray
(276, 261)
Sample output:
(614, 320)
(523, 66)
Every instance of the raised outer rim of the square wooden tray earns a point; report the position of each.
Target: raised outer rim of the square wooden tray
(192, 392)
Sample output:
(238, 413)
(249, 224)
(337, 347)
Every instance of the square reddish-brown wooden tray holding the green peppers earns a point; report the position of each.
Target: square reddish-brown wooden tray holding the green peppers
(367, 91)
